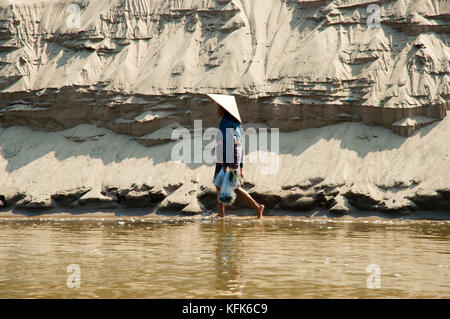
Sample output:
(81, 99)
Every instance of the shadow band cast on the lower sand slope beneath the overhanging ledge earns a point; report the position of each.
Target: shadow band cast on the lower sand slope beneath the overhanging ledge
(21, 146)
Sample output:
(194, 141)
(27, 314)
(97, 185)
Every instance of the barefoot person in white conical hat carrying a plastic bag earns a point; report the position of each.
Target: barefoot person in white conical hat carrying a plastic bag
(230, 140)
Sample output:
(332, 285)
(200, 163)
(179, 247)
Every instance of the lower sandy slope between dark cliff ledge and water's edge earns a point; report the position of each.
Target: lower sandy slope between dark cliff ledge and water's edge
(370, 168)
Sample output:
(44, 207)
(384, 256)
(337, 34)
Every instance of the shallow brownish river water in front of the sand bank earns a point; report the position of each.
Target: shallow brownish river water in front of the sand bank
(239, 257)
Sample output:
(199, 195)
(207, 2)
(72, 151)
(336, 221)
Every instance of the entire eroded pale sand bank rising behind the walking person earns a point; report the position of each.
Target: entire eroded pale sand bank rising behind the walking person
(87, 110)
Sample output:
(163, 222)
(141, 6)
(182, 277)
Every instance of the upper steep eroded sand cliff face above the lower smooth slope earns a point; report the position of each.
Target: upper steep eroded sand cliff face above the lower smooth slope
(312, 59)
